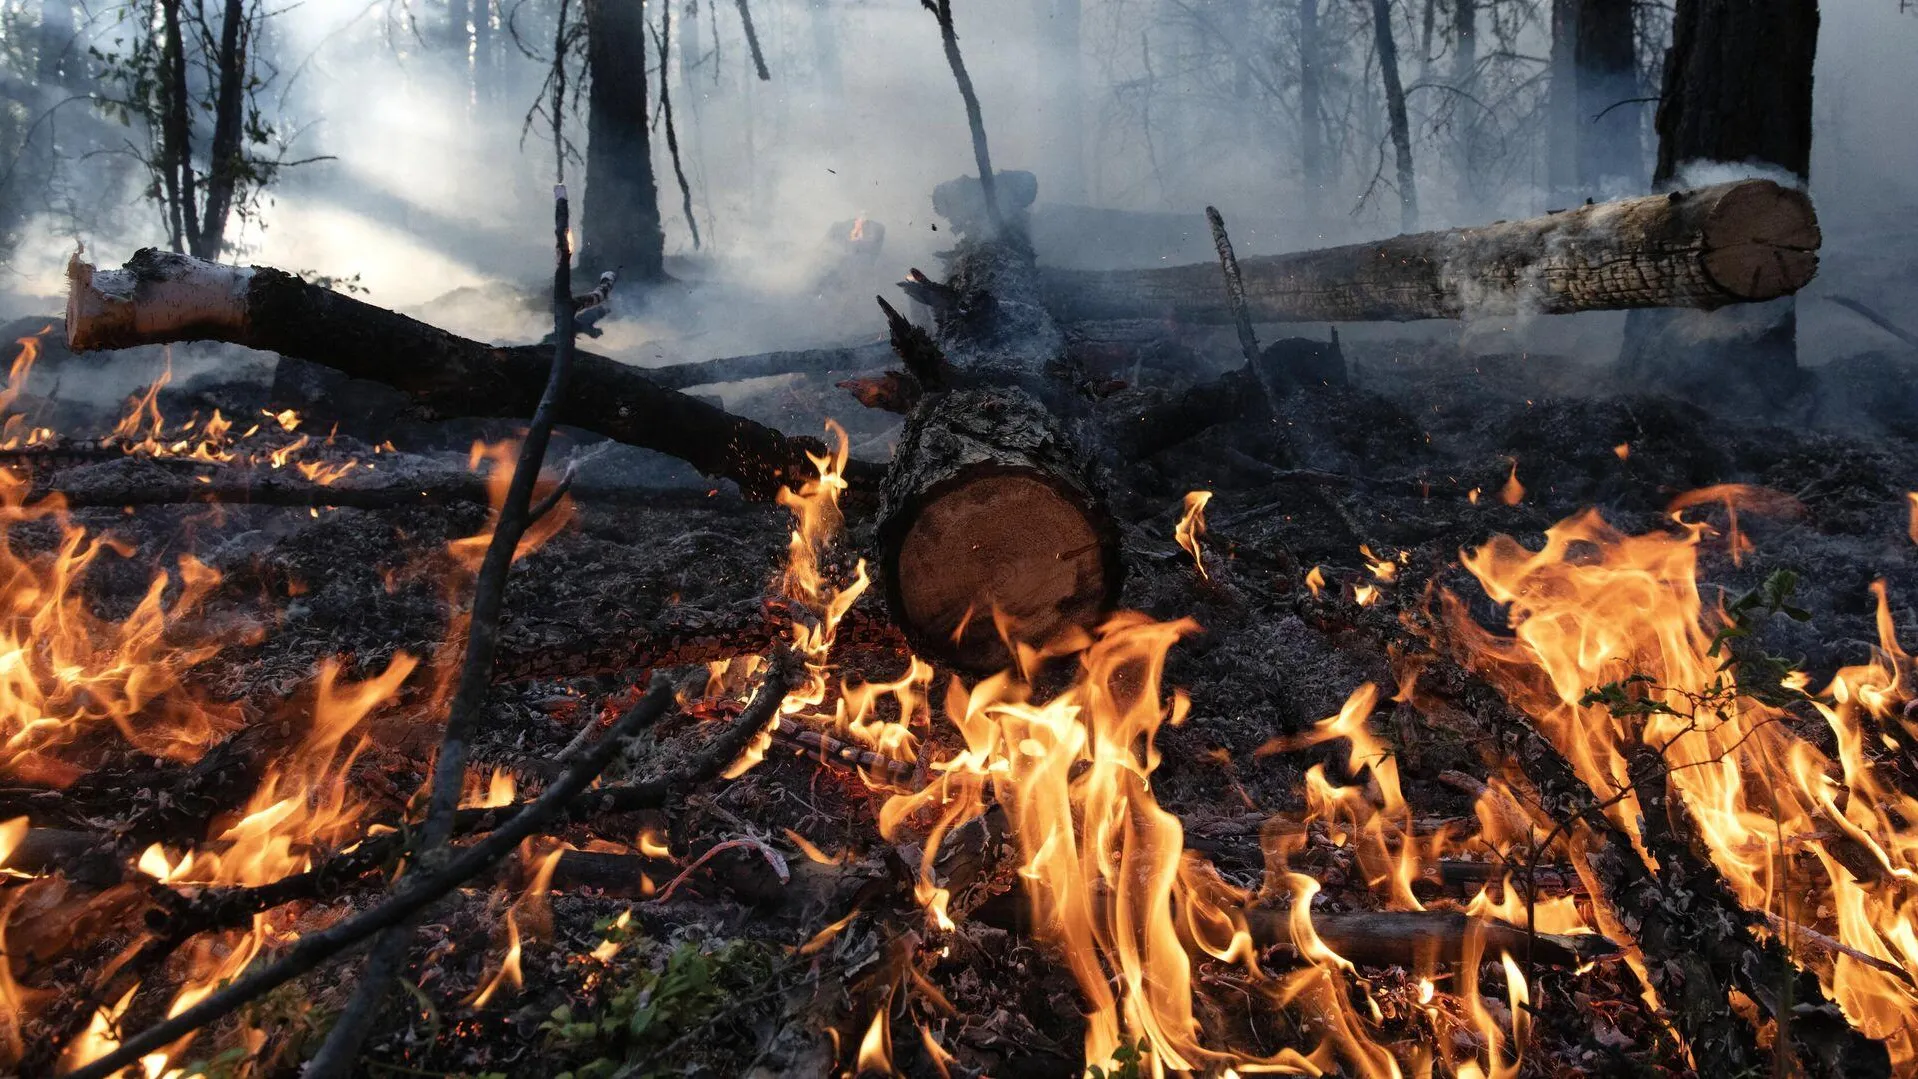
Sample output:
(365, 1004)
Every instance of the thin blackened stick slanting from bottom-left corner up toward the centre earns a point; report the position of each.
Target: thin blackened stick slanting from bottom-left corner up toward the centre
(408, 900)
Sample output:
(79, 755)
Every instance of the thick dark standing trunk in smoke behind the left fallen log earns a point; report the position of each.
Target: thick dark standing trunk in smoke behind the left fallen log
(620, 221)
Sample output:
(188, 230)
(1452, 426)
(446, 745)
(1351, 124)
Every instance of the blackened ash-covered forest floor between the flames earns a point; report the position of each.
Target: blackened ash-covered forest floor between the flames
(661, 568)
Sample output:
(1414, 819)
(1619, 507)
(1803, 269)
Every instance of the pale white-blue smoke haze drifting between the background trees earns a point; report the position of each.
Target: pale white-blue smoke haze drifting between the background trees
(433, 200)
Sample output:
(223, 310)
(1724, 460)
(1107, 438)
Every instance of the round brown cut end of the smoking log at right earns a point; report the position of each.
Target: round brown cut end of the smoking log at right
(1762, 242)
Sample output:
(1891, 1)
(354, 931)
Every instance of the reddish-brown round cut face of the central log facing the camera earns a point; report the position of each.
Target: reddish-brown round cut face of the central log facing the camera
(1000, 547)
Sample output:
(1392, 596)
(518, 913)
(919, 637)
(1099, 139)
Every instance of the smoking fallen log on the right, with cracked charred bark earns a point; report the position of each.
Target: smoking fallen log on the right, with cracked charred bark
(1741, 242)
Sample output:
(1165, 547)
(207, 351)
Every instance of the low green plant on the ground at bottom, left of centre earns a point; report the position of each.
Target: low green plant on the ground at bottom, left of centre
(655, 1009)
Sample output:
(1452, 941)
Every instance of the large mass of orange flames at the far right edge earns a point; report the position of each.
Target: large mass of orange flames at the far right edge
(1595, 607)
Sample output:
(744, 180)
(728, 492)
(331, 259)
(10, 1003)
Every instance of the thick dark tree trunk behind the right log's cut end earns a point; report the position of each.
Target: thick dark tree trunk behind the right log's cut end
(1737, 91)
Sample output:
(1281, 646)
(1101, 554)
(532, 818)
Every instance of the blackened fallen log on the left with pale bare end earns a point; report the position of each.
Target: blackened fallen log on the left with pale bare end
(164, 298)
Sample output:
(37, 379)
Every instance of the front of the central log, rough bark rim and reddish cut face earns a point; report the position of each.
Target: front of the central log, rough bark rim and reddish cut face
(993, 509)
